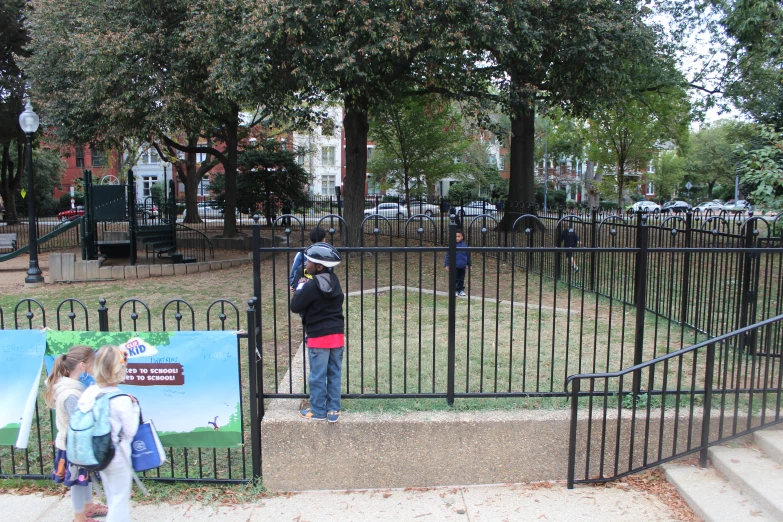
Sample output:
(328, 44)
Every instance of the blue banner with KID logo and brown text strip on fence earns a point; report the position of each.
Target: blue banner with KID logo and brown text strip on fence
(186, 382)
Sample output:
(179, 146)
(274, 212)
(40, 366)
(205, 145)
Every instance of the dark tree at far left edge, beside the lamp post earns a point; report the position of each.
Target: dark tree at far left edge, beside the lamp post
(13, 39)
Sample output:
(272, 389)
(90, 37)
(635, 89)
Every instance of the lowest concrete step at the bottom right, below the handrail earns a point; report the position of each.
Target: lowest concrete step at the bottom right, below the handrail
(711, 496)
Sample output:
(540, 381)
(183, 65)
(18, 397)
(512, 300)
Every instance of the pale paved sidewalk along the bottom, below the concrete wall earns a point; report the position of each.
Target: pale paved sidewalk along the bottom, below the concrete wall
(524, 502)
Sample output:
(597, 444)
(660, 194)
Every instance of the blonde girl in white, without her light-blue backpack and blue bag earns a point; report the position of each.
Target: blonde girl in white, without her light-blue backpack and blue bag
(110, 366)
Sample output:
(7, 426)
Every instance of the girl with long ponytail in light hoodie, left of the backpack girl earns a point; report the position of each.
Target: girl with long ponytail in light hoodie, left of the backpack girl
(64, 387)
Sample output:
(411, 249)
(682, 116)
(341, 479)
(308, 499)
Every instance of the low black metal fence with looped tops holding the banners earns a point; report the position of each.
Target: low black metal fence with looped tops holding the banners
(183, 464)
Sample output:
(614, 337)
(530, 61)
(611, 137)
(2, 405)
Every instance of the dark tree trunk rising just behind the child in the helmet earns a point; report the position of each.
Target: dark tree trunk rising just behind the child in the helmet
(356, 127)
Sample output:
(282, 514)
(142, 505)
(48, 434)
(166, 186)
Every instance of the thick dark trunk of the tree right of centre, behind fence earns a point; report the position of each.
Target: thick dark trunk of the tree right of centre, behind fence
(521, 186)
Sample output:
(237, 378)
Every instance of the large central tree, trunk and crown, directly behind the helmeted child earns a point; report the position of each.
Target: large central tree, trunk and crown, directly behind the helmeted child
(362, 53)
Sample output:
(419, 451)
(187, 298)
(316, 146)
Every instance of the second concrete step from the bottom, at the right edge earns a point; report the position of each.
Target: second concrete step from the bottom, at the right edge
(756, 474)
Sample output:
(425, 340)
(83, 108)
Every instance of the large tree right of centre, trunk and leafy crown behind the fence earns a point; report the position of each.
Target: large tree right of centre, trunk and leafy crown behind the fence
(570, 54)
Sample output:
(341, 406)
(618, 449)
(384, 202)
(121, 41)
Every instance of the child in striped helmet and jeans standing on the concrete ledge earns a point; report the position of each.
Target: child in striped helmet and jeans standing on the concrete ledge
(320, 301)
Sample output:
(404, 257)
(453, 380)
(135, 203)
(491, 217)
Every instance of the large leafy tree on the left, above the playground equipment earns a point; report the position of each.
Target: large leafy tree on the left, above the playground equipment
(165, 73)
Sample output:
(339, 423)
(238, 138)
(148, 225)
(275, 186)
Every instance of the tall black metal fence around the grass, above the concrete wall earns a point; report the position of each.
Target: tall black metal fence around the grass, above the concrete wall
(529, 319)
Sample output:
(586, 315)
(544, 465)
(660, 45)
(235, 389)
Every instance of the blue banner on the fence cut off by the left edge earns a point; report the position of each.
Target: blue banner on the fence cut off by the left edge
(21, 356)
